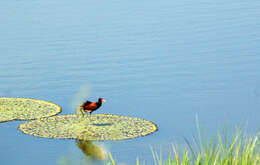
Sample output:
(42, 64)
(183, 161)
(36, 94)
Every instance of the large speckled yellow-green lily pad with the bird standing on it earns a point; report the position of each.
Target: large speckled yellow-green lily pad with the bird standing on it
(89, 127)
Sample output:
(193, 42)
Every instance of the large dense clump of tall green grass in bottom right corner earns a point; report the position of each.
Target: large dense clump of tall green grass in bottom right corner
(237, 150)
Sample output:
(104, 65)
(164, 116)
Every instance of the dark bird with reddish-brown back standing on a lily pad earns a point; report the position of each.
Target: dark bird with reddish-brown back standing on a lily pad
(89, 106)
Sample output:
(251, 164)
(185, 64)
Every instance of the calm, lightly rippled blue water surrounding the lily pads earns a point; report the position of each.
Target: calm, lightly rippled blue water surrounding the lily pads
(162, 61)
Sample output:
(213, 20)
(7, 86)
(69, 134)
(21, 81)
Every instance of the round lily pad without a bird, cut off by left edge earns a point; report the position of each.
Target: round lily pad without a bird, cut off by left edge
(26, 109)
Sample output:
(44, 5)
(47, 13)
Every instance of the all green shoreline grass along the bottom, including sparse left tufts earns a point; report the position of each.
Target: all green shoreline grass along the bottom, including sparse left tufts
(223, 149)
